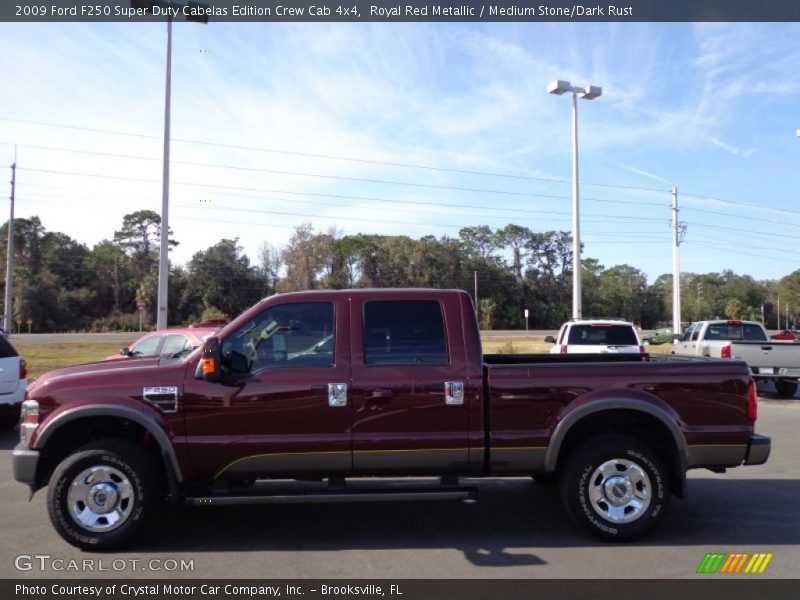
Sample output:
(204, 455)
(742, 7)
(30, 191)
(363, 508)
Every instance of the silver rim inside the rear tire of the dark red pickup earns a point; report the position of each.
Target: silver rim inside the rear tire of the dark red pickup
(619, 491)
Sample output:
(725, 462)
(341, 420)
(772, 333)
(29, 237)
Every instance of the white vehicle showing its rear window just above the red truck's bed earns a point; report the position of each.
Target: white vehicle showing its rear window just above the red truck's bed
(596, 336)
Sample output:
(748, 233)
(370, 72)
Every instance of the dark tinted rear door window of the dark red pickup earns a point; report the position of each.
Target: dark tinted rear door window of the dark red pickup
(404, 332)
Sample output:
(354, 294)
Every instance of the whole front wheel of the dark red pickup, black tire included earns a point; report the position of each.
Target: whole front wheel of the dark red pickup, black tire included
(112, 470)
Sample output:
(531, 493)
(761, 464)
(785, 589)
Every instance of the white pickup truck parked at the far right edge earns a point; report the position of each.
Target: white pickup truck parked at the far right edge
(747, 341)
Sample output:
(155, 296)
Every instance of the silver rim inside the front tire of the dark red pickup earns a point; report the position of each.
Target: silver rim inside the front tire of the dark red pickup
(100, 498)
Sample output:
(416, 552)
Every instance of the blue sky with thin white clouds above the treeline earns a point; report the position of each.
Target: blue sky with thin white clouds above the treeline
(450, 126)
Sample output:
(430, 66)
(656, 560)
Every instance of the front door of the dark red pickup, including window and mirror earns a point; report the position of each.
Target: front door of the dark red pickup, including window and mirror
(280, 409)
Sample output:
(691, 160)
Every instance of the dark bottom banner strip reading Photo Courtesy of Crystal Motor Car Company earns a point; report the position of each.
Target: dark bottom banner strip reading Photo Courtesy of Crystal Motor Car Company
(733, 588)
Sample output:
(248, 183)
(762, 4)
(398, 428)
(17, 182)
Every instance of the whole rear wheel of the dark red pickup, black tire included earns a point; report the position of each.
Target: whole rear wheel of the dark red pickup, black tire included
(615, 486)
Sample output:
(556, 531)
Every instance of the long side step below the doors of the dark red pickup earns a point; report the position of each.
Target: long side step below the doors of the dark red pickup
(468, 495)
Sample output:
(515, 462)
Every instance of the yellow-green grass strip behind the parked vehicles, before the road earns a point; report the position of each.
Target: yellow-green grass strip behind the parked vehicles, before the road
(46, 356)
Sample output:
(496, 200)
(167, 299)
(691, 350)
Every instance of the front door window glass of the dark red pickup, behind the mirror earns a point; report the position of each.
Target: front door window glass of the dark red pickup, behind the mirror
(287, 335)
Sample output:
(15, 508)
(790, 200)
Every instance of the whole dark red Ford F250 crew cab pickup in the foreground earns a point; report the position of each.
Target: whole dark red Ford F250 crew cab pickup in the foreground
(360, 390)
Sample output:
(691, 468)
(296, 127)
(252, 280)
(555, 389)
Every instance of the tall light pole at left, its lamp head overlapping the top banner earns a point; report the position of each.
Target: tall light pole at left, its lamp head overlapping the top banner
(197, 13)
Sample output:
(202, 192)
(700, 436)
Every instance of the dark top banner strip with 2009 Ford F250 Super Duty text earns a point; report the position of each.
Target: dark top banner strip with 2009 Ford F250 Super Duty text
(399, 11)
